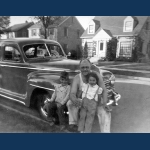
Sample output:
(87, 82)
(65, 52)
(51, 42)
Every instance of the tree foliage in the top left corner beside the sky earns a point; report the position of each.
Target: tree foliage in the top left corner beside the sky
(4, 22)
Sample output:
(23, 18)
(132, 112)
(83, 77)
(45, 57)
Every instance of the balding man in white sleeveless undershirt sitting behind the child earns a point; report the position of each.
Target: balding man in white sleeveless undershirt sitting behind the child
(74, 103)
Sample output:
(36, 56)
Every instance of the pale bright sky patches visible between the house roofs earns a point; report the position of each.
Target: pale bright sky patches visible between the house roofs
(84, 20)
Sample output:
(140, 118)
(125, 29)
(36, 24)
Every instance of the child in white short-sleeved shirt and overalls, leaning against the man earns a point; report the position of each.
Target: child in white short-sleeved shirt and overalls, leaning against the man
(90, 96)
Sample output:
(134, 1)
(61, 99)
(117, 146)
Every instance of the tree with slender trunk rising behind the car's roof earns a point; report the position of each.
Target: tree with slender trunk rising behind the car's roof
(47, 21)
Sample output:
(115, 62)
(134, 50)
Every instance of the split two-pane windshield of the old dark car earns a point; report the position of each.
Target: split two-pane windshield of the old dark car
(43, 51)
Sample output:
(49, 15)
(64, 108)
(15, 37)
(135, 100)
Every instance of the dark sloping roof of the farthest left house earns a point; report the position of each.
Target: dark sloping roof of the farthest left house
(18, 27)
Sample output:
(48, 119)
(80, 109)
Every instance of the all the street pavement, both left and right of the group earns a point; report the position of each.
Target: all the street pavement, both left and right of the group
(132, 114)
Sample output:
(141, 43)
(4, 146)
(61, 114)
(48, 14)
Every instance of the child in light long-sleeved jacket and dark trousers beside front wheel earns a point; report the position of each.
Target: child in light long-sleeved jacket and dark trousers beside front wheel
(59, 99)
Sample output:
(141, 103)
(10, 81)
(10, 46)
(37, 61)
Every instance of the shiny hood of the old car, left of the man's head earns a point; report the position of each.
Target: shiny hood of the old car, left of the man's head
(57, 64)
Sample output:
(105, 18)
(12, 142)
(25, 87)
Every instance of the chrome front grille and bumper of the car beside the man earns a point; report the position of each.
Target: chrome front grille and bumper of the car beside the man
(113, 96)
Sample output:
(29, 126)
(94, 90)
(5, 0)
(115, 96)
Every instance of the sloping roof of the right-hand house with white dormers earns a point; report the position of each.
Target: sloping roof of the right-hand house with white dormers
(115, 25)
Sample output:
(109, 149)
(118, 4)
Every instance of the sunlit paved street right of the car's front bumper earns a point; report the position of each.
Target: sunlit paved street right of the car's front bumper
(133, 113)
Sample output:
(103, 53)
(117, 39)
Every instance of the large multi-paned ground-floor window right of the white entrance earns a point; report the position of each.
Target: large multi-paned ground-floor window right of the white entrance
(125, 49)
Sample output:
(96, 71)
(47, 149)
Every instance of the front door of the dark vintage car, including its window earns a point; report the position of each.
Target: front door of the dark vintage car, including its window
(14, 72)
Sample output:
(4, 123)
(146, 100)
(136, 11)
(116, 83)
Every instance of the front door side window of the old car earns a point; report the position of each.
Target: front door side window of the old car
(11, 54)
